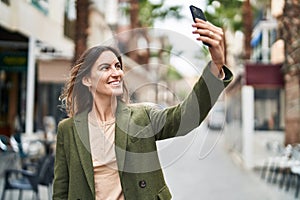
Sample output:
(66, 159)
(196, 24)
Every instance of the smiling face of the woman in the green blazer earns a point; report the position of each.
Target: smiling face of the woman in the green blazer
(106, 77)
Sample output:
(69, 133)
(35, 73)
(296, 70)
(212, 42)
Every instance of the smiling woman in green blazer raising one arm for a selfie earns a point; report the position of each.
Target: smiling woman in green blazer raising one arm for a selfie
(107, 148)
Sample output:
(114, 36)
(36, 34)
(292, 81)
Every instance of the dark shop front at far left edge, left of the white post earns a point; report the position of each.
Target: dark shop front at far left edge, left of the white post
(13, 76)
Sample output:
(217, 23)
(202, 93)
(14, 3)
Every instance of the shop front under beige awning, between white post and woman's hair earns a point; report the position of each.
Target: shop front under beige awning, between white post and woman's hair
(51, 78)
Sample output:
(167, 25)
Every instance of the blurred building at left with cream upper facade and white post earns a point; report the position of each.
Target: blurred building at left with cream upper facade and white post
(35, 56)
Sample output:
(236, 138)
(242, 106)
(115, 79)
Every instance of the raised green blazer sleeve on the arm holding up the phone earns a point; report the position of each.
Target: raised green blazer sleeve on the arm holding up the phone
(184, 117)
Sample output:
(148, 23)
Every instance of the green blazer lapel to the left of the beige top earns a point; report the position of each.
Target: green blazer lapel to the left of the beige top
(83, 147)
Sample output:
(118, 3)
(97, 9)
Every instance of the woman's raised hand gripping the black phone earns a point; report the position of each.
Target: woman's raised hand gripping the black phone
(214, 36)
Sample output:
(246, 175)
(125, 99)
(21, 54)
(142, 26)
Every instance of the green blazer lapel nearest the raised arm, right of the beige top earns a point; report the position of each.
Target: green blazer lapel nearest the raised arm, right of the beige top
(122, 124)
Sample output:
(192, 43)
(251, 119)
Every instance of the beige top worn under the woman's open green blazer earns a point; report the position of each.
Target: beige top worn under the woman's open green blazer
(106, 176)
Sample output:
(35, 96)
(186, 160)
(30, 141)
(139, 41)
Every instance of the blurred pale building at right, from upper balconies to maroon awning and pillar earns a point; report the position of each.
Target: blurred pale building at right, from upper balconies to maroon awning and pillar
(256, 99)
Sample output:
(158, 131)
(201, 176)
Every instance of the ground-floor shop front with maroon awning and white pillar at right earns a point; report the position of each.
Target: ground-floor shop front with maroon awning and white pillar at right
(255, 113)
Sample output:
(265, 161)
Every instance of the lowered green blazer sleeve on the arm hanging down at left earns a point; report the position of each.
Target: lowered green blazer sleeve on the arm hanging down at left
(61, 174)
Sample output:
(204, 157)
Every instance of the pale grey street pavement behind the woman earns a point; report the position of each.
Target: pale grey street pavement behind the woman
(198, 166)
